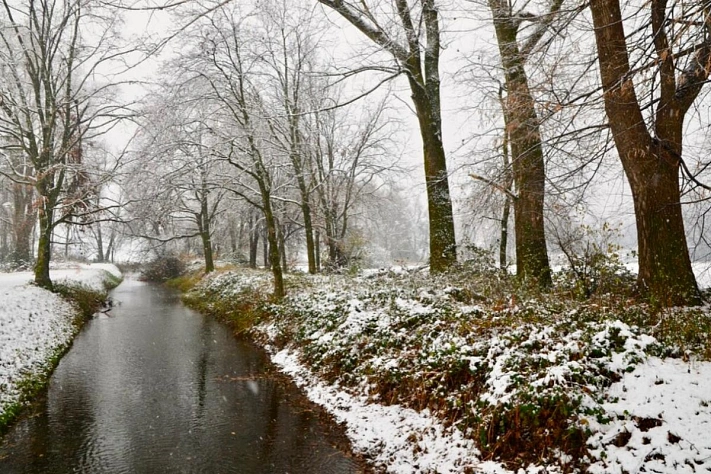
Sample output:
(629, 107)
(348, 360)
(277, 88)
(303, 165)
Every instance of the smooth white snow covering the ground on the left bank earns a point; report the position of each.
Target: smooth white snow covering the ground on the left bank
(35, 323)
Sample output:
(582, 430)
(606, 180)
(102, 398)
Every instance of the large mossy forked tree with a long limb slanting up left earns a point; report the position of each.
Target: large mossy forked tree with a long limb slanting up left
(411, 35)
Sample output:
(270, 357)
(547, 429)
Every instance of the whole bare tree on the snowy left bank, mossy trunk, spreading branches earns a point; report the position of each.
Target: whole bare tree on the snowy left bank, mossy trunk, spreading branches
(50, 105)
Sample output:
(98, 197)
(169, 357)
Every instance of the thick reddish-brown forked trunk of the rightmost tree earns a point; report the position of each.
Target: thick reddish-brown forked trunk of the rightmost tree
(651, 164)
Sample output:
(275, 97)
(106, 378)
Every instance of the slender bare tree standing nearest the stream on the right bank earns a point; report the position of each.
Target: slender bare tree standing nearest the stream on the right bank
(226, 63)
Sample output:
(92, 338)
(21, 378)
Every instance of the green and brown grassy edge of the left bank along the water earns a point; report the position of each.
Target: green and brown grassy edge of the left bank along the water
(86, 301)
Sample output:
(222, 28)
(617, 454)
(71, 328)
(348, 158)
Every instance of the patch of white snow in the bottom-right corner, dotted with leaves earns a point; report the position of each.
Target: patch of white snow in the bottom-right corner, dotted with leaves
(664, 406)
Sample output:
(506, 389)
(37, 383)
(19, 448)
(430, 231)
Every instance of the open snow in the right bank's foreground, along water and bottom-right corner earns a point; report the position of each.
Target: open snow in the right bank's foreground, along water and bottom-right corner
(660, 421)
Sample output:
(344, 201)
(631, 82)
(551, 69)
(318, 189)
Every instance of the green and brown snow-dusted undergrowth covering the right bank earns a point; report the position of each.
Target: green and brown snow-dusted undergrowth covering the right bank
(521, 372)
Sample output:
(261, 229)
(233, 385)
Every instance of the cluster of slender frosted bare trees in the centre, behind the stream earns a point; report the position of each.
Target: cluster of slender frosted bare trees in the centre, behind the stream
(277, 139)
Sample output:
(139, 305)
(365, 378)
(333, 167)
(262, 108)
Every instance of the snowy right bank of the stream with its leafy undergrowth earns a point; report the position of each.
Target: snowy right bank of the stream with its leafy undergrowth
(435, 376)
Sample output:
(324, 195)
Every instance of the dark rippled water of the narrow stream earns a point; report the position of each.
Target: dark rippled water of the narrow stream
(157, 388)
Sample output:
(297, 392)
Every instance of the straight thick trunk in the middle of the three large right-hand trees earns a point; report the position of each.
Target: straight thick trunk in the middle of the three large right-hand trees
(522, 127)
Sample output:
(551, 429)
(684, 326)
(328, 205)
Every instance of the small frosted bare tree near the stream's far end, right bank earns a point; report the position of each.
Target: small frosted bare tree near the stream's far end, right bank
(176, 181)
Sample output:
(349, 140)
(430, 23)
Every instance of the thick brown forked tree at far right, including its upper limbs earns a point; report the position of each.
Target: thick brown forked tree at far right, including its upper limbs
(679, 34)
